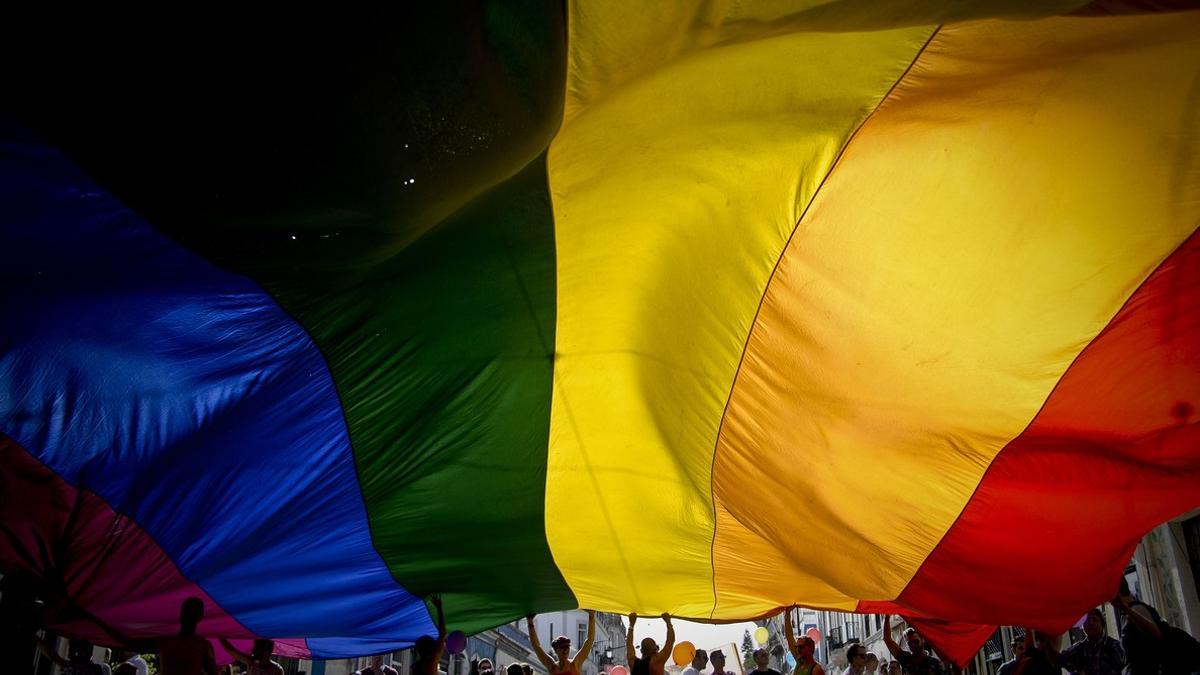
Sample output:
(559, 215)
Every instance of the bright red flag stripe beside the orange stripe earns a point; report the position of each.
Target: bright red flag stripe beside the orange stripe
(1112, 455)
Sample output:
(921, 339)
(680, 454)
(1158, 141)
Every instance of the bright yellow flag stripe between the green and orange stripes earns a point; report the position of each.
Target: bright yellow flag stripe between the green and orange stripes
(675, 190)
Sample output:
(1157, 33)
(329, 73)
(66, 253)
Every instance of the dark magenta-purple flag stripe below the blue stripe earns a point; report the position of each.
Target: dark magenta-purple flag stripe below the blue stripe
(101, 568)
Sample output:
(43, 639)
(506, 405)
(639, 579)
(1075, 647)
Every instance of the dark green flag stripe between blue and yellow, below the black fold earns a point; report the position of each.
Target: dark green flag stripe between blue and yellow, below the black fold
(443, 360)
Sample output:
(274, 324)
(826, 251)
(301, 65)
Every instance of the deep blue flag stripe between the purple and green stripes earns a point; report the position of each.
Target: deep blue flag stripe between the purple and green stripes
(190, 402)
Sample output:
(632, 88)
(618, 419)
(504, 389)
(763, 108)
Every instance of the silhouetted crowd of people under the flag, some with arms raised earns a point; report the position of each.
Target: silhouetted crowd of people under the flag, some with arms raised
(1148, 646)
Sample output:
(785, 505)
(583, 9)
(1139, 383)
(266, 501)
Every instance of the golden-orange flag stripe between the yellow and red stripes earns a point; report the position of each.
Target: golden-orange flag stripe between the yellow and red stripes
(981, 230)
